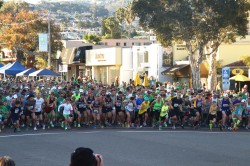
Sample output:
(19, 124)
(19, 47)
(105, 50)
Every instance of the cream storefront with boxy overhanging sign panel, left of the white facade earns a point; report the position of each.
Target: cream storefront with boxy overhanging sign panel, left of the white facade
(104, 64)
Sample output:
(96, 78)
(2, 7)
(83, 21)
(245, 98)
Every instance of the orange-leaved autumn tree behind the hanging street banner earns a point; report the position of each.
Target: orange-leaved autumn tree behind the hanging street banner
(19, 32)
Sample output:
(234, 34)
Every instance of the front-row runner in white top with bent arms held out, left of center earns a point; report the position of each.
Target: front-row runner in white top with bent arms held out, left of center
(67, 110)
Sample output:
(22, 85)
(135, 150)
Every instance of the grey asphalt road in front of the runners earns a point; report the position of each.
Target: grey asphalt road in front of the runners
(128, 147)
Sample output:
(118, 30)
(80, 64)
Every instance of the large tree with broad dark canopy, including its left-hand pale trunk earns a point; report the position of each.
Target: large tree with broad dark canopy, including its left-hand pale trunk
(203, 25)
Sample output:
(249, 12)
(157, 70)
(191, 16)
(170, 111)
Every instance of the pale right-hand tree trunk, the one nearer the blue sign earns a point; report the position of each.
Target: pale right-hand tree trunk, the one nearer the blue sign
(212, 74)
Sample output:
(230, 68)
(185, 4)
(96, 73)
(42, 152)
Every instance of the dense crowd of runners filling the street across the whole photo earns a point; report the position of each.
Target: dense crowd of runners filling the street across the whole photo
(47, 104)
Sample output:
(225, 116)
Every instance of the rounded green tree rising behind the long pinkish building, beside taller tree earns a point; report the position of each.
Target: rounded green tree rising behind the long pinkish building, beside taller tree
(110, 25)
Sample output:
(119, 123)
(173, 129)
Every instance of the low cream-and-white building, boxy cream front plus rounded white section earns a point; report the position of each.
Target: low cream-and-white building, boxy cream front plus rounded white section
(106, 64)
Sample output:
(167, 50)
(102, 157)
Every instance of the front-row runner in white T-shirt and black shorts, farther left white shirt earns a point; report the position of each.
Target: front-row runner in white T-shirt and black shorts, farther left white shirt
(38, 111)
